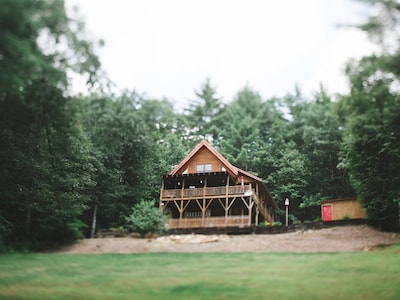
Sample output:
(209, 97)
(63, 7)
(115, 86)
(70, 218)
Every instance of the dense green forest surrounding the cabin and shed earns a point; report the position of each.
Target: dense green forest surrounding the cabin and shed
(65, 160)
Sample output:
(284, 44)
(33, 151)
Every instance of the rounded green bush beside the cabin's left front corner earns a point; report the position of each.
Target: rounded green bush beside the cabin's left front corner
(146, 218)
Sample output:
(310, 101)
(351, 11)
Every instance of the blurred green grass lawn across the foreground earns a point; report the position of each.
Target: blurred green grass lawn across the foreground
(360, 275)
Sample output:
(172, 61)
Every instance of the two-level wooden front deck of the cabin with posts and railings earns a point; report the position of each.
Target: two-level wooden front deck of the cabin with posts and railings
(231, 206)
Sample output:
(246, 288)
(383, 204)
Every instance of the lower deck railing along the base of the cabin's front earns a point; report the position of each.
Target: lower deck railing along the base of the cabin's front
(242, 220)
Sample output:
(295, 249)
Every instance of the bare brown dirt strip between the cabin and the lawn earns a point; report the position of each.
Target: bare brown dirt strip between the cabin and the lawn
(335, 239)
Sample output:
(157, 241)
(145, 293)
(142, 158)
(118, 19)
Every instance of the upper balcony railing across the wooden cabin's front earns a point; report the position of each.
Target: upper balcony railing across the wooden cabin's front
(204, 192)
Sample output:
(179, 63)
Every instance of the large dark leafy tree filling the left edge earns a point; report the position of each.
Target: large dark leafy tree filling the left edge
(45, 169)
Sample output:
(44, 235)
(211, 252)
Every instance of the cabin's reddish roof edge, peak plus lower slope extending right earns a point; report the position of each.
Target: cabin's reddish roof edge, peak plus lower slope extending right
(229, 167)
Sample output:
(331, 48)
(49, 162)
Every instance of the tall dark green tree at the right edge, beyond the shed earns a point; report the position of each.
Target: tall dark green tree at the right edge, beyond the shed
(372, 142)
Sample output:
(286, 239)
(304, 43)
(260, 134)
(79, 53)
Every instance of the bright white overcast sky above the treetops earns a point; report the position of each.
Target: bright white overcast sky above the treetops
(169, 47)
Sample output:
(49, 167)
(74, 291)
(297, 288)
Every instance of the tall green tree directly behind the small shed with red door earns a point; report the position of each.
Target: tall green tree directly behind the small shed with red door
(316, 130)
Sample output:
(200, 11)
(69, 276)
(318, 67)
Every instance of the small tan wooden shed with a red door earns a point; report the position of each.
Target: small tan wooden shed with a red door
(340, 209)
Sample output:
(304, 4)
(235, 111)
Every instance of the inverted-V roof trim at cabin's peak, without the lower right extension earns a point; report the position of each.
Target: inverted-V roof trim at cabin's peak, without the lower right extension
(204, 146)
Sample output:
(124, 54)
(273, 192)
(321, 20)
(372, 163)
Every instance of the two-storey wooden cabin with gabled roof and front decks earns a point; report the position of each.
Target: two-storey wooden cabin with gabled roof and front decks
(205, 190)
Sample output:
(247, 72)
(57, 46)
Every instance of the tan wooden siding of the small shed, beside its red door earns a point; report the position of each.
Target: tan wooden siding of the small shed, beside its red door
(344, 208)
